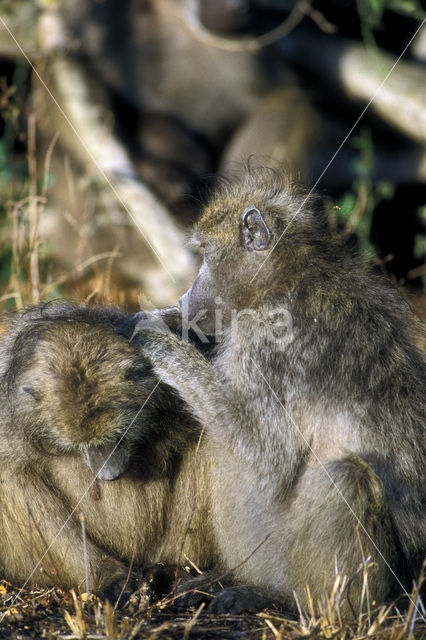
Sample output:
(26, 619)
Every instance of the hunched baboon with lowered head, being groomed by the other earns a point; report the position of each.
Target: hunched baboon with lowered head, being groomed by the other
(80, 406)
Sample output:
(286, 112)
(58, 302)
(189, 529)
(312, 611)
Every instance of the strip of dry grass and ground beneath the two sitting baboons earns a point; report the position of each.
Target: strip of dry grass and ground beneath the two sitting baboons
(51, 613)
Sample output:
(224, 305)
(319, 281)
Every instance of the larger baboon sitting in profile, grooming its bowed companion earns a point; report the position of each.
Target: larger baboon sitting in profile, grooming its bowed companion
(313, 402)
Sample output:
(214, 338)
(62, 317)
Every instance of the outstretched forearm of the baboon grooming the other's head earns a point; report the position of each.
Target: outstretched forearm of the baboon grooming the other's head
(231, 417)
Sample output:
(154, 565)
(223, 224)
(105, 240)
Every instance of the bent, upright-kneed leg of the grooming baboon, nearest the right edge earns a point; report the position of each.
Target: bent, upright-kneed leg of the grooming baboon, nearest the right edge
(337, 519)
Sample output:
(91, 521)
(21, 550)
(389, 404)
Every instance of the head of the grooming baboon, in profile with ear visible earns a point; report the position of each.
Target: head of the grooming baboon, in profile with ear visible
(256, 232)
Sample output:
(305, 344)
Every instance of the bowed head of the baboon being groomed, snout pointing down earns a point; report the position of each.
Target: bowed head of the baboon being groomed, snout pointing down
(79, 384)
